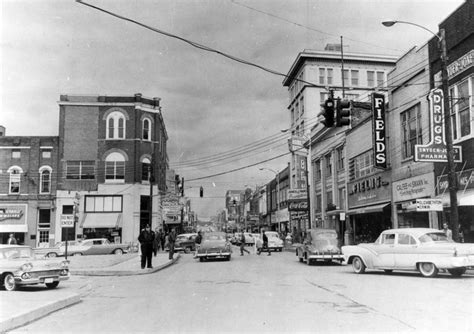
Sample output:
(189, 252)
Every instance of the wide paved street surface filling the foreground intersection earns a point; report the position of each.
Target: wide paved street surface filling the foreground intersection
(254, 293)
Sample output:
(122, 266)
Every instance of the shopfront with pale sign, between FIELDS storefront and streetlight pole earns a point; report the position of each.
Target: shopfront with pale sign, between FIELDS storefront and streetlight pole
(413, 202)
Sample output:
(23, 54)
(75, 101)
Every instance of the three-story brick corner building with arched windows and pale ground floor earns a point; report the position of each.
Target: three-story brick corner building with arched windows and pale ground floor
(112, 166)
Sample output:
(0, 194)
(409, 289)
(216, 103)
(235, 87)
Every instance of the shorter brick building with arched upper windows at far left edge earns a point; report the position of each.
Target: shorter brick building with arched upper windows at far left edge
(28, 169)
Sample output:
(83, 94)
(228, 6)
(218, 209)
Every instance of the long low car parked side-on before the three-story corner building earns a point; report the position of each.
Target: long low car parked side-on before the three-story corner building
(98, 246)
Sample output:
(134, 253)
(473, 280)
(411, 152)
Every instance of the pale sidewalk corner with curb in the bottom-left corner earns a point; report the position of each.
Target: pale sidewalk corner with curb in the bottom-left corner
(24, 306)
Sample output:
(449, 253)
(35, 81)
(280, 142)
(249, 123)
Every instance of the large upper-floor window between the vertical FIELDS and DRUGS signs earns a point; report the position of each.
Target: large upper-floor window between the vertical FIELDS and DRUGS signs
(410, 121)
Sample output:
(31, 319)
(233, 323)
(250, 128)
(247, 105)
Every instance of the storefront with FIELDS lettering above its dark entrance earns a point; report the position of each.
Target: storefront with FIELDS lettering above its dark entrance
(369, 210)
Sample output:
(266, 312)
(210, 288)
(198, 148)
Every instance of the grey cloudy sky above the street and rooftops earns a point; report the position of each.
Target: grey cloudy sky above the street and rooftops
(220, 115)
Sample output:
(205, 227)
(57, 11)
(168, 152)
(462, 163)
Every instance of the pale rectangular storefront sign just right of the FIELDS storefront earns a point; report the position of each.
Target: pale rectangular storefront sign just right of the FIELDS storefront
(413, 187)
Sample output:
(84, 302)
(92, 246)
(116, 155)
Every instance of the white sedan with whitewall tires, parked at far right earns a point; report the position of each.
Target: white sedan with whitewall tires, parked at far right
(412, 249)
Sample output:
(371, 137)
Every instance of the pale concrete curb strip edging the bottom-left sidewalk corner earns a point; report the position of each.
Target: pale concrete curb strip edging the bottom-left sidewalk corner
(22, 319)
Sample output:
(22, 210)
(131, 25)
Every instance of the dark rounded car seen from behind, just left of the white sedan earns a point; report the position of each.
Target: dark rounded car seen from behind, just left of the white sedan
(320, 245)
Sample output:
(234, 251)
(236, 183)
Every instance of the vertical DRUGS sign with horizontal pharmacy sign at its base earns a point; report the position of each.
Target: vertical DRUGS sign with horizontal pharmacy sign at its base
(435, 150)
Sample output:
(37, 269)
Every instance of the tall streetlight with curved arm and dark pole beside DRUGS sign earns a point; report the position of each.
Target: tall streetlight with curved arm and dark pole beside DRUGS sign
(441, 36)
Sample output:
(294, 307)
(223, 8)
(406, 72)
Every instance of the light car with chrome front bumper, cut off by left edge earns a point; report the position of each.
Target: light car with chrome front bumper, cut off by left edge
(20, 266)
